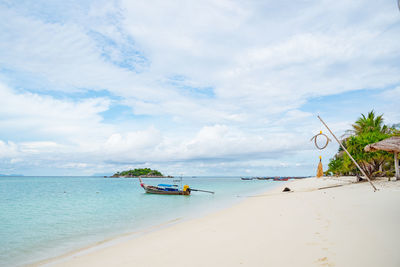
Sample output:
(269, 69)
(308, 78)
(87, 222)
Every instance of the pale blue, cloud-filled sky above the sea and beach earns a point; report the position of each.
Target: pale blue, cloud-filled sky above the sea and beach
(197, 88)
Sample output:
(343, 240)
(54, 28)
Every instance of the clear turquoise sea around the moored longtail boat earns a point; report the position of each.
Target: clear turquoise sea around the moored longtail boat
(42, 217)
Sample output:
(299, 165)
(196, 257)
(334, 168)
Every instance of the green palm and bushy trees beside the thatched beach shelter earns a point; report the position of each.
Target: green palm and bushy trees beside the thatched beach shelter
(366, 130)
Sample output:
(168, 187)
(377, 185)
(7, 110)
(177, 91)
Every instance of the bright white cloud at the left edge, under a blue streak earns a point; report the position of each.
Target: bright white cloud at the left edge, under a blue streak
(38, 116)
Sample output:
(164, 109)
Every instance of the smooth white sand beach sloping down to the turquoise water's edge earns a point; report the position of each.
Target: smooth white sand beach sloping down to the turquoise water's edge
(350, 225)
